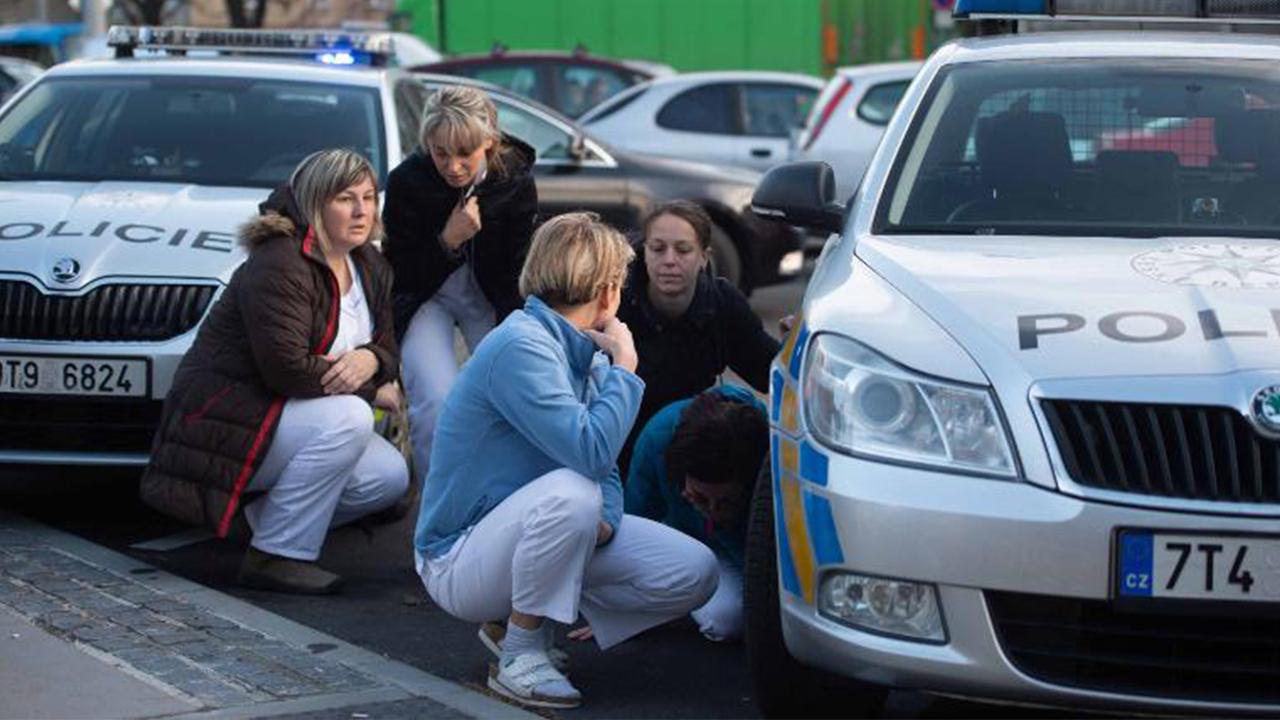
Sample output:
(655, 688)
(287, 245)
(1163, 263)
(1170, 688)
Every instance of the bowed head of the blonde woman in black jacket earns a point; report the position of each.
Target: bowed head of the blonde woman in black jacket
(460, 133)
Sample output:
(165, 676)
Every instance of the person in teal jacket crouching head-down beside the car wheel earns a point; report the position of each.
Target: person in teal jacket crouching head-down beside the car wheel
(694, 467)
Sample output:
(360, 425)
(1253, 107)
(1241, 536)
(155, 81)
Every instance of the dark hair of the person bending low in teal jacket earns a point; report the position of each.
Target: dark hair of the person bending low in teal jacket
(719, 440)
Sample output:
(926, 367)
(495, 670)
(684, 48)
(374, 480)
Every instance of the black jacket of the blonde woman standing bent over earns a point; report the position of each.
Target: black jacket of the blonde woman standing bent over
(419, 203)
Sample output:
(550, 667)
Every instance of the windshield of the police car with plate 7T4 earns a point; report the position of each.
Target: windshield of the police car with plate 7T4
(1118, 148)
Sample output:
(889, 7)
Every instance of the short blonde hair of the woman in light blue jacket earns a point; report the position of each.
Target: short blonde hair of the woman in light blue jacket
(573, 258)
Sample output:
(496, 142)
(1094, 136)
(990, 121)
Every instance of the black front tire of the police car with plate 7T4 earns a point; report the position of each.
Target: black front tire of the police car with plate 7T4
(784, 687)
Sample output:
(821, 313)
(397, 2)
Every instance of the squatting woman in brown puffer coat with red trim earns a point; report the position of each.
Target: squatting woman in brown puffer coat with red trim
(276, 393)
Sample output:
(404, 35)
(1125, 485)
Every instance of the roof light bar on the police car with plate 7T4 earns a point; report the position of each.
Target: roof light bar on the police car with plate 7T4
(1244, 12)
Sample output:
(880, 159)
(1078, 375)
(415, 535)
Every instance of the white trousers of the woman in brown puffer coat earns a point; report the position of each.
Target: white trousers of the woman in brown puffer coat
(324, 468)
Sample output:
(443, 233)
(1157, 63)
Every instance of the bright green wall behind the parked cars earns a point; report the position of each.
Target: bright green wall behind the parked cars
(811, 37)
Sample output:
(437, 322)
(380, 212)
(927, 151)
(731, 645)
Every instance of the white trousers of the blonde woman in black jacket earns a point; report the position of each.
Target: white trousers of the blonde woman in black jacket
(428, 362)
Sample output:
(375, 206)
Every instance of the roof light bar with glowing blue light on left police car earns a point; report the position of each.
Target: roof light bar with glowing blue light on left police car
(376, 47)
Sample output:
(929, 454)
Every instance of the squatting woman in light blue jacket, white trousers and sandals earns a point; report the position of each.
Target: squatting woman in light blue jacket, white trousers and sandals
(522, 512)
